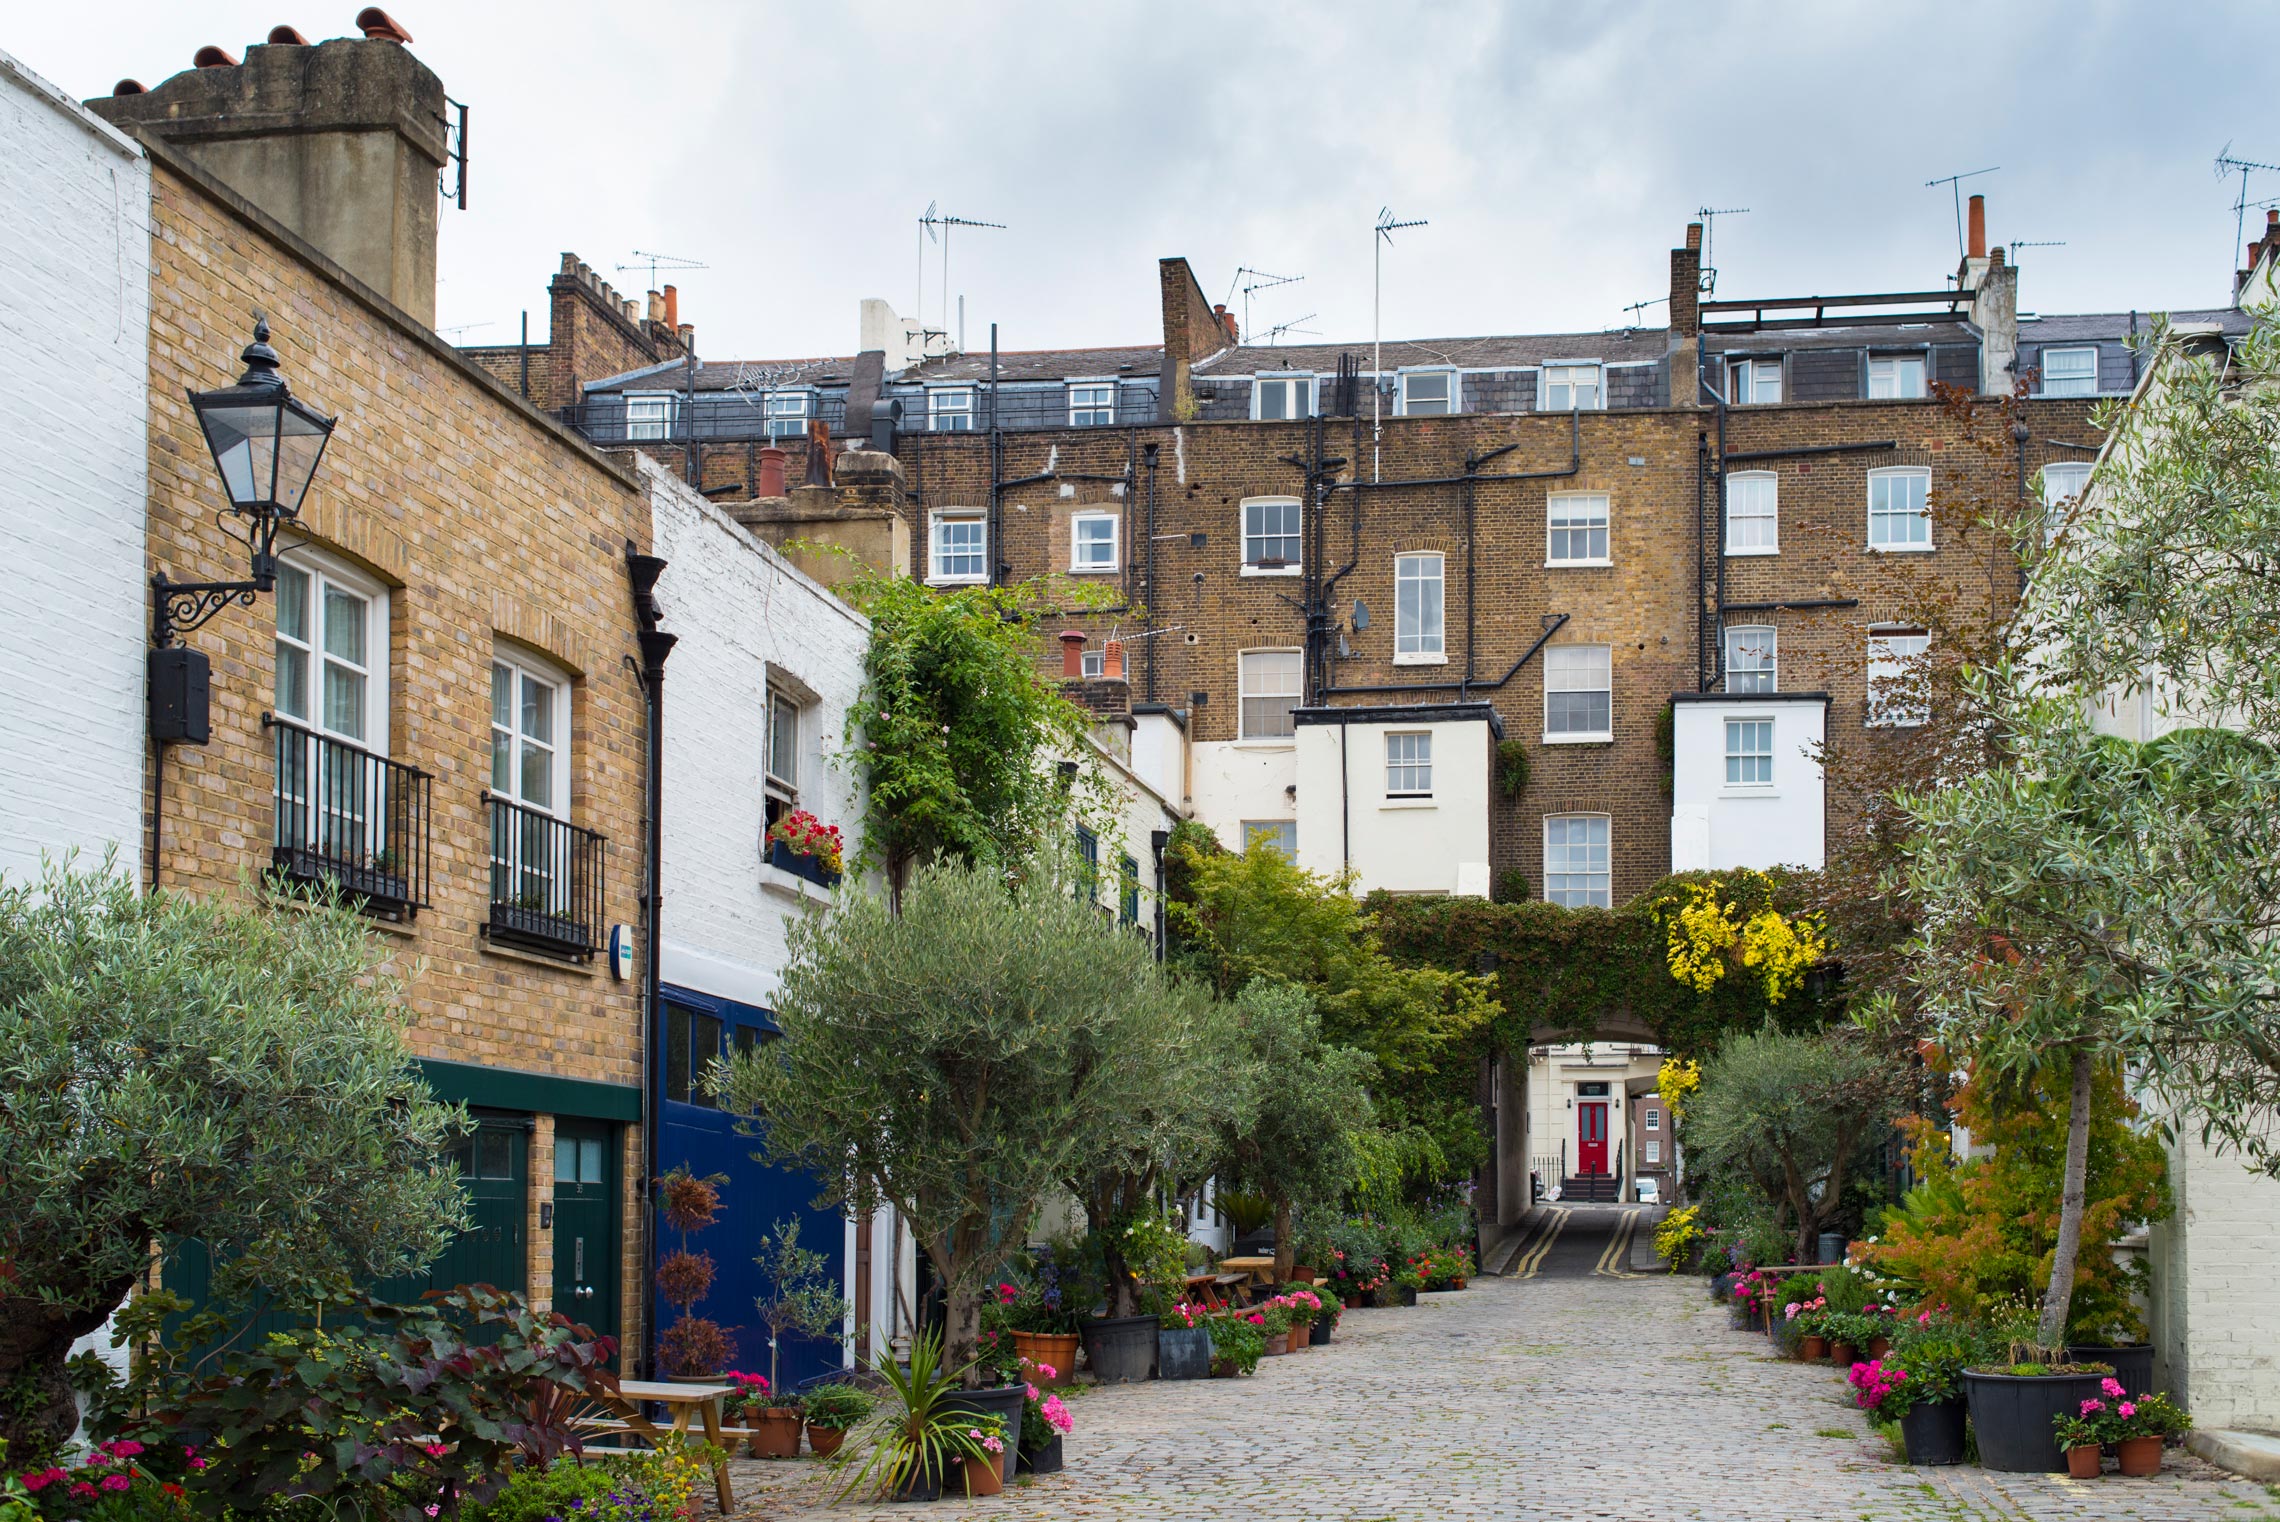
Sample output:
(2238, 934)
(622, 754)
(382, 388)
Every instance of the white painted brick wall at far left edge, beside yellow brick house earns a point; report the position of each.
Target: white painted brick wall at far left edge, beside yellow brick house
(74, 407)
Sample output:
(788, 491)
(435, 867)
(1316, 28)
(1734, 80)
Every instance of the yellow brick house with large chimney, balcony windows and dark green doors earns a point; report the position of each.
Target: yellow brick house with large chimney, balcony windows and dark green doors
(434, 707)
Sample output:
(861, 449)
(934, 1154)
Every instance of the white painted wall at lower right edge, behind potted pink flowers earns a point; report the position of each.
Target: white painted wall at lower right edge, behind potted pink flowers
(2215, 1291)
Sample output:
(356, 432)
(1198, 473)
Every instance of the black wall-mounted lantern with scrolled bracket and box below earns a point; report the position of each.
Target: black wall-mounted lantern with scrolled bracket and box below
(266, 448)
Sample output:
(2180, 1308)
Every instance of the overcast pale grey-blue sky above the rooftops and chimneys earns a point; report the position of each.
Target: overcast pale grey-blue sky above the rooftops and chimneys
(1556, 149)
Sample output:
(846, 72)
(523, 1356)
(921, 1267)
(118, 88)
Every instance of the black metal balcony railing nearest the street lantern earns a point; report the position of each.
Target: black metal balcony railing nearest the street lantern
(352, 819)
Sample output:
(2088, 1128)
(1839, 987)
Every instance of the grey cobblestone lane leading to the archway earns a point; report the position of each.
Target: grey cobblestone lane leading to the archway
(1579, 1393)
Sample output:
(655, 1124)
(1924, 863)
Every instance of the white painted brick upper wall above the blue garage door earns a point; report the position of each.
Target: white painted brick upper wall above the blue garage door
(740, 607)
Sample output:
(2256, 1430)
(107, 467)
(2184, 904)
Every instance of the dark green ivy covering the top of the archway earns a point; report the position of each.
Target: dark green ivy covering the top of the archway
(1570, 969)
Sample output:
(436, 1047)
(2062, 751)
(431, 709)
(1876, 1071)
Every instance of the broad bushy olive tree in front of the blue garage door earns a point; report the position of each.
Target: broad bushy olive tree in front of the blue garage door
(959, 1061)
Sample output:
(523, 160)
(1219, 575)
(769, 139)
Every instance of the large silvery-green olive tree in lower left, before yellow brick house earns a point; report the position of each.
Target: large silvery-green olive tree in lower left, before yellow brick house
(195, 1067)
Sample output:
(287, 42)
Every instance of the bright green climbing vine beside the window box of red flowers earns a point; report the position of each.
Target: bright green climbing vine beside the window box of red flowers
(961, 728)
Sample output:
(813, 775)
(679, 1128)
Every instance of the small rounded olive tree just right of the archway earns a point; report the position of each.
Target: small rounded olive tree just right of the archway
(1793, 1113)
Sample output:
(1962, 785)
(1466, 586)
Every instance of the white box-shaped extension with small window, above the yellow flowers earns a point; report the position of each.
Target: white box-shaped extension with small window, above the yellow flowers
(1748, 780)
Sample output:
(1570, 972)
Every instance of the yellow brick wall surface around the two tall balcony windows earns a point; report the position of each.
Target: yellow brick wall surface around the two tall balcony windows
(487, 525)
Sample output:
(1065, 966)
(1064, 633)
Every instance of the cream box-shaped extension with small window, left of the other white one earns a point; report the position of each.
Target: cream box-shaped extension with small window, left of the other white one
(1401, 796)
